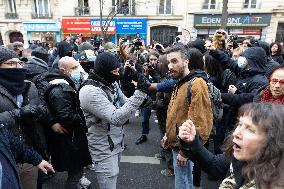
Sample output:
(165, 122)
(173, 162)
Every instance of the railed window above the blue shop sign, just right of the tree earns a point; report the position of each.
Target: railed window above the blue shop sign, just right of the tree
(123, 6)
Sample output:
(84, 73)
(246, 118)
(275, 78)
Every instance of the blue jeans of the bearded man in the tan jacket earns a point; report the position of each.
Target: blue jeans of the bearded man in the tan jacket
(183, 175)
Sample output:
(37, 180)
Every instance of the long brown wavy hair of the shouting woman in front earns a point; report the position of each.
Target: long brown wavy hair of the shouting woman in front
(267, 168)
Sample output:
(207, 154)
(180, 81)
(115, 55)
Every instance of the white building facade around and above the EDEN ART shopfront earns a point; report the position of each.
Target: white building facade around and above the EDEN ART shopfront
(258, 18)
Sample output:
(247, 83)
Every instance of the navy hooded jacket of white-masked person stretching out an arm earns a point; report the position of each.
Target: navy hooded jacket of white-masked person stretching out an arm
(250, 79)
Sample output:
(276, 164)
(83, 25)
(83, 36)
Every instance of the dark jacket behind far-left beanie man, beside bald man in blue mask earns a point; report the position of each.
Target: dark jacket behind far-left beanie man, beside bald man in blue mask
(34, 67)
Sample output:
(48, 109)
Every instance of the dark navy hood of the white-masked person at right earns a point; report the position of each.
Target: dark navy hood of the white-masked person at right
(257, 59)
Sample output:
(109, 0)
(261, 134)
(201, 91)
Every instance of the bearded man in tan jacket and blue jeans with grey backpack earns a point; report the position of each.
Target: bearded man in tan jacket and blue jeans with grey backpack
(179, 109)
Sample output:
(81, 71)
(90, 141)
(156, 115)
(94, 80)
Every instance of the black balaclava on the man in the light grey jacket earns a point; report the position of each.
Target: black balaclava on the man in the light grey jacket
(104, 64)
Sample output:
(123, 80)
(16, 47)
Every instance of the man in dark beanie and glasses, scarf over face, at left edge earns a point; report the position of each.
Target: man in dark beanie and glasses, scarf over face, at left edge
(22, 112)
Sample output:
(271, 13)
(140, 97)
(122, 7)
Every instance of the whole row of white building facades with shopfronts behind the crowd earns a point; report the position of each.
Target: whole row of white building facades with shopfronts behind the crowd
(155, 20)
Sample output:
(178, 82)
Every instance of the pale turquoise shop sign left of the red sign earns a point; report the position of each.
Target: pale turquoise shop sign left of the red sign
(48, 26)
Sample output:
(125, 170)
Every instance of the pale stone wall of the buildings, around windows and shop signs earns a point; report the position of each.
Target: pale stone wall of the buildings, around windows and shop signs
(182, 16)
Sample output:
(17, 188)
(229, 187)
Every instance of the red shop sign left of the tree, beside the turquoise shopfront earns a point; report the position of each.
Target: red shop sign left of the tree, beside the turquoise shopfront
(76, 25)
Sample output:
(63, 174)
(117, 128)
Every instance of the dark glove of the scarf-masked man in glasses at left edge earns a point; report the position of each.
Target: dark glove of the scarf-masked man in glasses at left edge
(32, 111)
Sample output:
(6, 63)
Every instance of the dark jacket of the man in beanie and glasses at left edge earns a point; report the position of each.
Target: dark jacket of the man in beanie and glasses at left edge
(32, 130)
